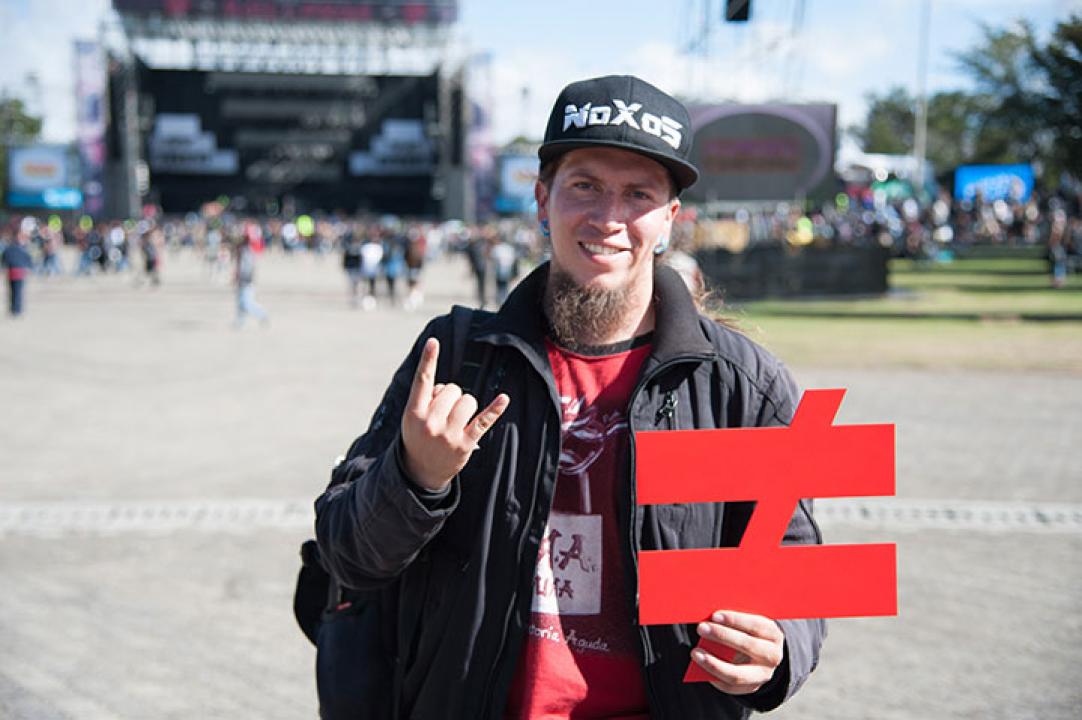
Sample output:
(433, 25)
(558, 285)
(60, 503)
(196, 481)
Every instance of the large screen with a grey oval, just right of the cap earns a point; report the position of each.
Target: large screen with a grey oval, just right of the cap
(750, 153)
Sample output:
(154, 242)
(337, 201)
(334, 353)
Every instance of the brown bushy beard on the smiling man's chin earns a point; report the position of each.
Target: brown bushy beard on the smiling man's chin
(582, 316)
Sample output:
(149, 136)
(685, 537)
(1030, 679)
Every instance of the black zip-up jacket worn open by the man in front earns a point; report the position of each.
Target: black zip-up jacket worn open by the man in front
(461, 566)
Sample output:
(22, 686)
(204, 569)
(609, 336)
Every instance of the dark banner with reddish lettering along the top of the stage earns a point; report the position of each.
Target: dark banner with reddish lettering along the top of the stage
(338, 11)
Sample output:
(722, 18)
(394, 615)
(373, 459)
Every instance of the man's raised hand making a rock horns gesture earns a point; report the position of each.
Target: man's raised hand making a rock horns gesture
(440, 429)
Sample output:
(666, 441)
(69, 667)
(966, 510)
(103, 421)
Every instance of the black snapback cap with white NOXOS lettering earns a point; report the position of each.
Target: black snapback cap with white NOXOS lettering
(624, 112)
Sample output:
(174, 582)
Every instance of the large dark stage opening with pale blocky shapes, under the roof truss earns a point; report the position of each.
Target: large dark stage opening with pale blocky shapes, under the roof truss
(326, 142)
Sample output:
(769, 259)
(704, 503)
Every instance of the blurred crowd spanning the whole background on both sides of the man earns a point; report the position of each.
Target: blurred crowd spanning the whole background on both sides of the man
(384, 258)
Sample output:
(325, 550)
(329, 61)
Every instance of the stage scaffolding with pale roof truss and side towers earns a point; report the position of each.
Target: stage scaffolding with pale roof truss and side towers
(252, 51)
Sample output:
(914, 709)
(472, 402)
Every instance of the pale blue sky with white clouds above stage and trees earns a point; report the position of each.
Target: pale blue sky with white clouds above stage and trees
(835, 51)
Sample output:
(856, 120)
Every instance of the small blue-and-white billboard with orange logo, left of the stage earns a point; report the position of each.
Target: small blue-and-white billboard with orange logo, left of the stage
(43, 177)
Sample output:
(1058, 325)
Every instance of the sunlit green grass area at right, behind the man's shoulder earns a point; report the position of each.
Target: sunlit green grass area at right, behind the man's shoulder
(971, 315)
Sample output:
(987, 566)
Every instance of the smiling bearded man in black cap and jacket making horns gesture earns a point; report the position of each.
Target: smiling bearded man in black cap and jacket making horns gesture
(509, 539)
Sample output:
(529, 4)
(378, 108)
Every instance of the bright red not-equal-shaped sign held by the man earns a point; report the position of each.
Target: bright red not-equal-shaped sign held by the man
(775, 468)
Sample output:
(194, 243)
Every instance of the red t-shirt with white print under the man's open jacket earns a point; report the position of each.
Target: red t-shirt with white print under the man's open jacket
(582, 659)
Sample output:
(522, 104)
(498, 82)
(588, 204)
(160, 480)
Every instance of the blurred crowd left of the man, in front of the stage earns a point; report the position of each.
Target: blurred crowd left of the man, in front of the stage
(382, 258)
